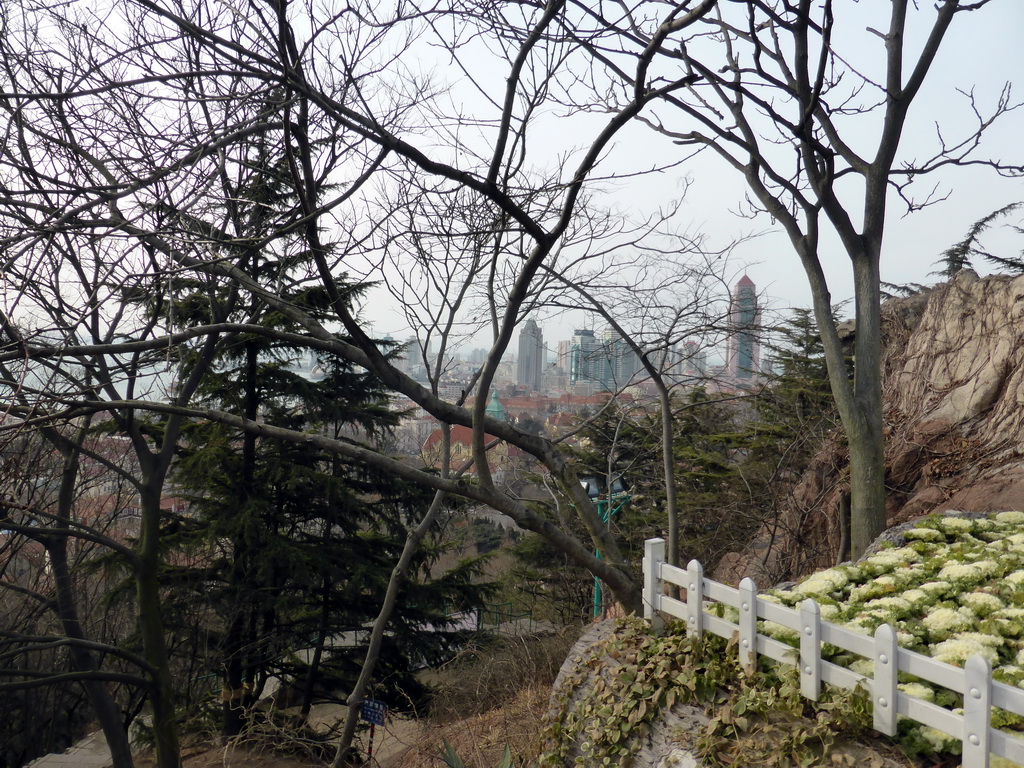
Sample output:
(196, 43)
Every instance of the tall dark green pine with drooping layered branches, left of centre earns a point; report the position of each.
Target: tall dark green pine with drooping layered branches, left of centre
(294, 545)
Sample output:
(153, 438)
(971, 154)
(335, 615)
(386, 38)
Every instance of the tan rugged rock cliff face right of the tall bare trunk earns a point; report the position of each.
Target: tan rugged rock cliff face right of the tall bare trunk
(957, 401)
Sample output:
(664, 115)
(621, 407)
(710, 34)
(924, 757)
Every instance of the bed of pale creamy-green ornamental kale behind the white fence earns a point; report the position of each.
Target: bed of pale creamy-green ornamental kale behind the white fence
(956, 589)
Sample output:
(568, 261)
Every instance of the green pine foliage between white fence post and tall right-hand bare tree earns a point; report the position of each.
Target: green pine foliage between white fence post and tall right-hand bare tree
(735, 457)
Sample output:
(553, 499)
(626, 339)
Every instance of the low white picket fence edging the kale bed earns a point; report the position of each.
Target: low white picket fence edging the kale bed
(974, 682)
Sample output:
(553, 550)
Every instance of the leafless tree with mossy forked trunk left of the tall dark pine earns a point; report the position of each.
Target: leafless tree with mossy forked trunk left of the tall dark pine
(78, 287)
